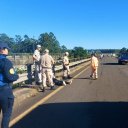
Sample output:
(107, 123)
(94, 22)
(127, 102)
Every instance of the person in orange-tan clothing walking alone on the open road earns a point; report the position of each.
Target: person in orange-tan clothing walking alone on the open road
(94, 66)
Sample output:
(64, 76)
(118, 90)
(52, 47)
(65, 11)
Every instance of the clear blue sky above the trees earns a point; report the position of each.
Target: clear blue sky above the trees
(91, 24)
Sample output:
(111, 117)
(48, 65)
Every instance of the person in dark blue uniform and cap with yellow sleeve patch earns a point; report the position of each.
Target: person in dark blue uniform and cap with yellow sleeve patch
(7, 76)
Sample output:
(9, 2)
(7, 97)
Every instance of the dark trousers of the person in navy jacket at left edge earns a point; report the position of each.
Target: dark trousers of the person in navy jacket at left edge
(6, 104)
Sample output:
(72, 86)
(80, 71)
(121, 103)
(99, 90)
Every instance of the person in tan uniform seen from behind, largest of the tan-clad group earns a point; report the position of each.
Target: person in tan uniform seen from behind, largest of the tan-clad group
(47, 74)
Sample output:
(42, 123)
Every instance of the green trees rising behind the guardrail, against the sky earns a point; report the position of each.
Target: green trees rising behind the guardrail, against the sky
(26, 44)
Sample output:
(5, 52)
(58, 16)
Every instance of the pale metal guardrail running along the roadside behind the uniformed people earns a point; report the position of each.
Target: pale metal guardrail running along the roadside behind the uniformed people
(25, 76)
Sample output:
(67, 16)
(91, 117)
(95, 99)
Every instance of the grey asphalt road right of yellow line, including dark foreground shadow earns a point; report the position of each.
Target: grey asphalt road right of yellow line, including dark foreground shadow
(87, 103)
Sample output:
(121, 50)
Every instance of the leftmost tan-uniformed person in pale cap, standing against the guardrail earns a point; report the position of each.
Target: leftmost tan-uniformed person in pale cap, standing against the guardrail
(36, 57)
